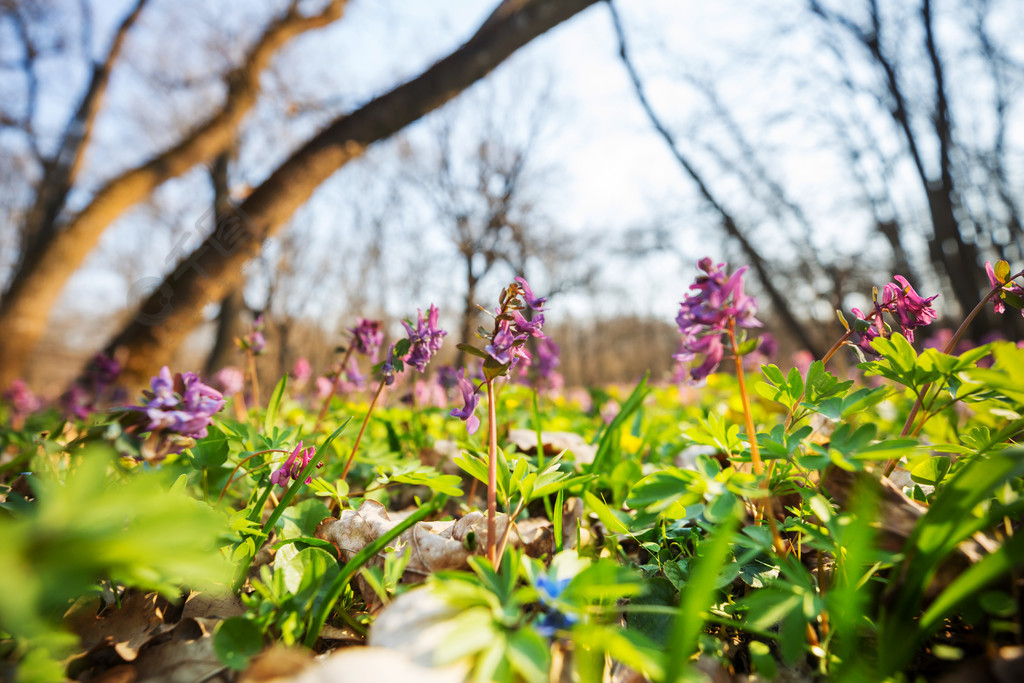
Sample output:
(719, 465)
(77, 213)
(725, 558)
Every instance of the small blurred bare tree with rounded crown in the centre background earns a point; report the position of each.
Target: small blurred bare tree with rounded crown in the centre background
(482, 177)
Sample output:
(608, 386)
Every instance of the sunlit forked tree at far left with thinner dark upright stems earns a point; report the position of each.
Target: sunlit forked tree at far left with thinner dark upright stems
(50, 257)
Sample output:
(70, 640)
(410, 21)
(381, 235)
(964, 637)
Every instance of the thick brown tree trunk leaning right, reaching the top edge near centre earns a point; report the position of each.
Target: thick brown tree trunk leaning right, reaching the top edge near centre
(216, 267)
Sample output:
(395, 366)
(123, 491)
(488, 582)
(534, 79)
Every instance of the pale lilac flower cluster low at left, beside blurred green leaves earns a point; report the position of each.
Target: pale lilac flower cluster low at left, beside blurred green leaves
(182, 405)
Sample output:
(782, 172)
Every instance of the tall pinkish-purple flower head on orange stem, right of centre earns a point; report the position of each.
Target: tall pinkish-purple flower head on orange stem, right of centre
(706, 315)
